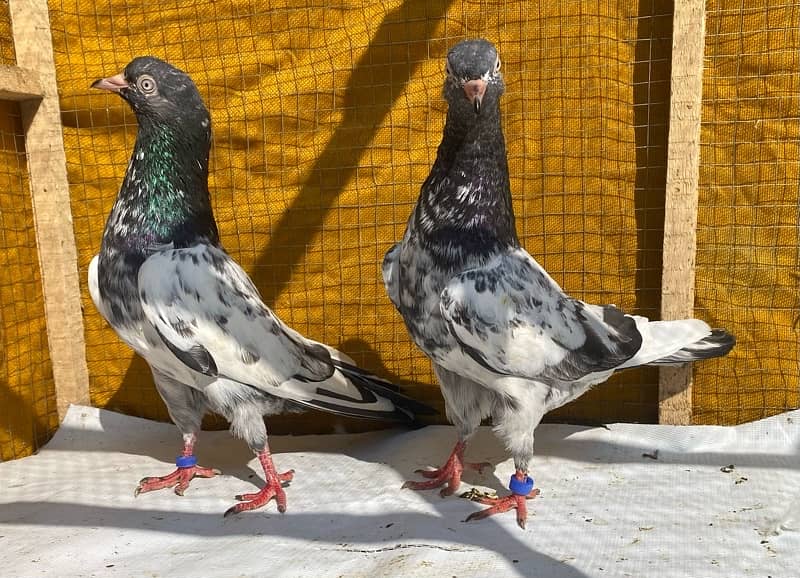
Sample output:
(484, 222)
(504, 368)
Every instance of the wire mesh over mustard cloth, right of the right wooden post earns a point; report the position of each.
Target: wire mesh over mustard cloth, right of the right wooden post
(747, 257)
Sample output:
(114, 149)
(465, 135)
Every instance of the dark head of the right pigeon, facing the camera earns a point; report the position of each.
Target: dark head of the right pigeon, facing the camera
(474, 83)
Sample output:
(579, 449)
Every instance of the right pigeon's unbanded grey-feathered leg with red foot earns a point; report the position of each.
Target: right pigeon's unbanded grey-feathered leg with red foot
(466, 403)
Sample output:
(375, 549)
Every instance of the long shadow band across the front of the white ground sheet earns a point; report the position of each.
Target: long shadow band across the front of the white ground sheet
(383, 532)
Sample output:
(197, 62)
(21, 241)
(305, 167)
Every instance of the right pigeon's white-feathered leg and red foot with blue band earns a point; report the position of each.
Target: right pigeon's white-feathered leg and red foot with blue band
(515, 420)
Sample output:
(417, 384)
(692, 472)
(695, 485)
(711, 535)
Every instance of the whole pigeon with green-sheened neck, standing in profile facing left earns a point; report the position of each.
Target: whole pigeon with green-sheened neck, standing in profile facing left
(164, 283)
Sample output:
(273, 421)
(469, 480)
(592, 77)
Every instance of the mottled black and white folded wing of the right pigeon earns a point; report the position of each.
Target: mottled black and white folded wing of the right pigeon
(513, 319)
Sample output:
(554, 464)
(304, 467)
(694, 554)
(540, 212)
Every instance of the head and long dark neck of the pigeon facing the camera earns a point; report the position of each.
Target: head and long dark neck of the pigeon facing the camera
(464, 209)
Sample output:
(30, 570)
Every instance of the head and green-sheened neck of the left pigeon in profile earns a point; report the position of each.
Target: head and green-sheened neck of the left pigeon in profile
(164, 197)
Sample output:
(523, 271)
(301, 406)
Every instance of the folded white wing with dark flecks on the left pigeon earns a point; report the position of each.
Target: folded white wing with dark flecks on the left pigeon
(210, 316)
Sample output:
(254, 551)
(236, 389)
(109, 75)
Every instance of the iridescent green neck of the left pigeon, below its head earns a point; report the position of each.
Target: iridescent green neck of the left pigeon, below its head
(164, 198)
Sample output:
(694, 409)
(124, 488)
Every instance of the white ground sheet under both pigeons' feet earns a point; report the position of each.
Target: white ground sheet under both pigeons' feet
(606, 508)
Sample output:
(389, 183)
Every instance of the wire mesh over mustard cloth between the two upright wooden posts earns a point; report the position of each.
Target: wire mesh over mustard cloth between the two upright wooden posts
(326, 123)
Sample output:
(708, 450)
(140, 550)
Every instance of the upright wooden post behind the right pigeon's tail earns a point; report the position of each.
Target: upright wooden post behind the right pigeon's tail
(680, 221)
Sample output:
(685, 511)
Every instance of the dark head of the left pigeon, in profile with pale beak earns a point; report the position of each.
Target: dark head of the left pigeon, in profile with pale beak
(158, 92)
